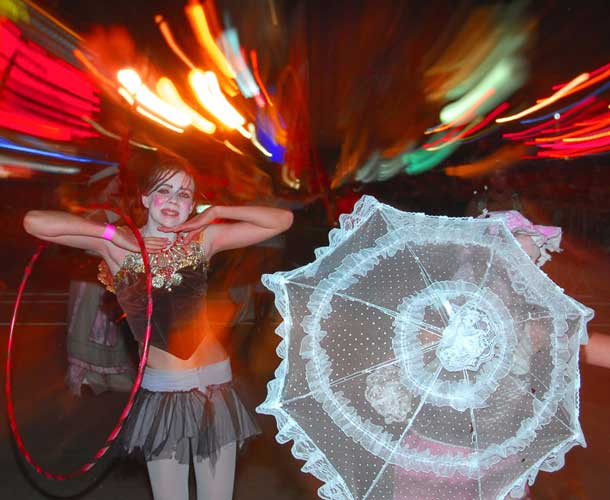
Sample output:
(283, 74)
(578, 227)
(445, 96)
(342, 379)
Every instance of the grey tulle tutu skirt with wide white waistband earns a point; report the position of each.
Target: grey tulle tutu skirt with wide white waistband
(177, 423)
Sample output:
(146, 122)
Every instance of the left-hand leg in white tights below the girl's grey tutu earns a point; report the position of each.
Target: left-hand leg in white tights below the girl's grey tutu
(168, 479)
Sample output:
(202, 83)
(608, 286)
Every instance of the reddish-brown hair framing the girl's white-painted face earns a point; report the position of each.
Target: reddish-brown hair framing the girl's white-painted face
(147, 170)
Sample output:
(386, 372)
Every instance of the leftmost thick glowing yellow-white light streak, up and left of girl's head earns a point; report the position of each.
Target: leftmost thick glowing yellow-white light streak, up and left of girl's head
(150, 104)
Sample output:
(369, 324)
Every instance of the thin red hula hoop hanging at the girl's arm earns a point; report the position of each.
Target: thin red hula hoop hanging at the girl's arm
(8, 382)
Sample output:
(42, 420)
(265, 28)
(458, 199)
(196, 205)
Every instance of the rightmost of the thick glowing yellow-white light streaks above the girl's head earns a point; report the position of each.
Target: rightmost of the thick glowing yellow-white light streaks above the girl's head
(208, 93)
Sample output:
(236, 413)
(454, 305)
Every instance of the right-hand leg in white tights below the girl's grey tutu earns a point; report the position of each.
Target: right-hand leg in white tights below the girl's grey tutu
(216, 483)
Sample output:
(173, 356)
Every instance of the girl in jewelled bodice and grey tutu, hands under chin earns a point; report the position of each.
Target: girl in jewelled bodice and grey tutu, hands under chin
(186, 405)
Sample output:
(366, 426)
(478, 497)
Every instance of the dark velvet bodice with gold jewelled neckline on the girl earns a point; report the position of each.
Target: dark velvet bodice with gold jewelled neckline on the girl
(179, 279)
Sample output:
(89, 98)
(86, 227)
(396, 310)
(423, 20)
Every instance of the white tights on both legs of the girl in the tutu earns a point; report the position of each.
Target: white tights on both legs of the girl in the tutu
(169, 478)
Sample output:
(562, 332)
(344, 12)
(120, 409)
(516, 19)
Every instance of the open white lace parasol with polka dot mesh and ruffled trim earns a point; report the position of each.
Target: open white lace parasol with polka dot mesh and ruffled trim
(425, 358)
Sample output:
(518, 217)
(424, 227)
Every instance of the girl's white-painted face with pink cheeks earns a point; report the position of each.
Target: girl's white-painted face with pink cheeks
(171, 201)
